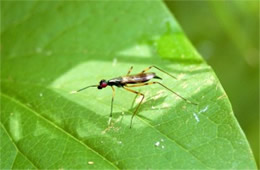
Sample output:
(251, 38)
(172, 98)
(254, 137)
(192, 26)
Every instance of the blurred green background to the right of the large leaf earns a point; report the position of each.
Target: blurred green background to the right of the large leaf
(226, 33)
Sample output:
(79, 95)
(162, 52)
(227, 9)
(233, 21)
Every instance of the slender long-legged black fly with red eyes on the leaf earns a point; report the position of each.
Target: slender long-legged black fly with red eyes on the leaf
(134, 80)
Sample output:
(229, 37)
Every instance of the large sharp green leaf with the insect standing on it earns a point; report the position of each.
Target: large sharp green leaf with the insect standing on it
(49, 49)
